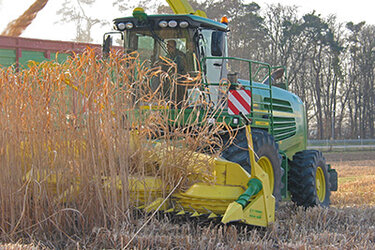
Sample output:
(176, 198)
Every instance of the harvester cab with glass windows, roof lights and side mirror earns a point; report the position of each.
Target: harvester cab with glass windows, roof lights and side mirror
(187, 40)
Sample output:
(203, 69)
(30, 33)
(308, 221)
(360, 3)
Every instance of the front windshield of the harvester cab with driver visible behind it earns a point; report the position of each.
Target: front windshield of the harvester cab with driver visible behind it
(175, 44)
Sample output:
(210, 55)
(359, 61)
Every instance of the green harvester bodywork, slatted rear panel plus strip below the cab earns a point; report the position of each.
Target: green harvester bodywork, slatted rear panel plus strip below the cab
(288, 116)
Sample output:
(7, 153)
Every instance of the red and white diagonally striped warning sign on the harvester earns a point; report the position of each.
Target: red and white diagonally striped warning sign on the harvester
(239, 101)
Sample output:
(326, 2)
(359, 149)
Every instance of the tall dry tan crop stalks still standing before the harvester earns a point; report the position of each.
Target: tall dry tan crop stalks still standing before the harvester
(73, 133)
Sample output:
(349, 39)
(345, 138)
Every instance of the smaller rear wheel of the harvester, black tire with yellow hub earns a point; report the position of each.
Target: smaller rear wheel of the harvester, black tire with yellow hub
(309, 183)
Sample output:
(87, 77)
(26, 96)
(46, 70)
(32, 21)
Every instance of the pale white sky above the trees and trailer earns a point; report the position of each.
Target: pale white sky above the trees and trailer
(47, 24)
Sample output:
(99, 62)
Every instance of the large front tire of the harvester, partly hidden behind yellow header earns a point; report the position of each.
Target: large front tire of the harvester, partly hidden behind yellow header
(266, 150)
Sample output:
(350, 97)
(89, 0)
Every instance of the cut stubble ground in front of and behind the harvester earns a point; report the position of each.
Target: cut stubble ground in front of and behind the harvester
(349, 223)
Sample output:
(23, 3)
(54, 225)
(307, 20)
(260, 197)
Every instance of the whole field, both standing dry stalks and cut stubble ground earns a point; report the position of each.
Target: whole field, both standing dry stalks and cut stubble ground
(72, 134)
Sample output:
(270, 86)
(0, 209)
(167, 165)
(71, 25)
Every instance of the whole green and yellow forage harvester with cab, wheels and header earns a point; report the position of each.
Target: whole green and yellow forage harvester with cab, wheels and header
(267, 161)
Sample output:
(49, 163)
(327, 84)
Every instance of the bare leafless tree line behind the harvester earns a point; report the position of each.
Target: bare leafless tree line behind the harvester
(330, 64)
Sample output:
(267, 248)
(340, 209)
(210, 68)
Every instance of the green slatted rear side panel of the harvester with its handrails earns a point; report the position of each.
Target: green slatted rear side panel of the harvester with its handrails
(275, 109)
